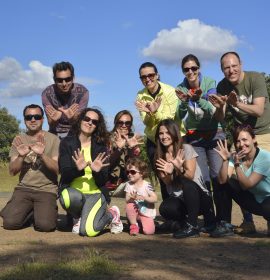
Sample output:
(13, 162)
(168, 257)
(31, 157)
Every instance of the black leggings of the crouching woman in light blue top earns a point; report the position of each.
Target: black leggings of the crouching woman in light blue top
(245, 199)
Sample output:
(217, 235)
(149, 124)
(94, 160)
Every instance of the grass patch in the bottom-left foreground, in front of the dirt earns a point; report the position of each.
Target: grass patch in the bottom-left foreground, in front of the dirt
(91, 265)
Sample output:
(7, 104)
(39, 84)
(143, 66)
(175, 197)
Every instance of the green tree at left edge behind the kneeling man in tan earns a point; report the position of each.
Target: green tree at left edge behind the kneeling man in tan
(9, 128)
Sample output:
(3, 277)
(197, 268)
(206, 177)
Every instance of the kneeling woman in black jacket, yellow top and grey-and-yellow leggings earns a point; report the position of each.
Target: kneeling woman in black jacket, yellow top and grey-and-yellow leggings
(84, 174)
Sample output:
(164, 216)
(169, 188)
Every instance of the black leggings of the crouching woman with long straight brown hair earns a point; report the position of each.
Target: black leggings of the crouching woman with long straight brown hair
(194, 202)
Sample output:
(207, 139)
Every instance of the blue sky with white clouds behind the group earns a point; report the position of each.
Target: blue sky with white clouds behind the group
(107, 41)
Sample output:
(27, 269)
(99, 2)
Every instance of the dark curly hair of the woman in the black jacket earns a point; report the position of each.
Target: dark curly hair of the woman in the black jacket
(101, 134)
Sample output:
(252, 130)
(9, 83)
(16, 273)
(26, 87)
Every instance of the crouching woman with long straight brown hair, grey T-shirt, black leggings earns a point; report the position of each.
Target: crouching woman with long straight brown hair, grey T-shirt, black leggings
(177, 167)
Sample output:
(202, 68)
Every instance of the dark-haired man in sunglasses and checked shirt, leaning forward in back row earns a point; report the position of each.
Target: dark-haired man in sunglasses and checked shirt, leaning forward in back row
(63, 100)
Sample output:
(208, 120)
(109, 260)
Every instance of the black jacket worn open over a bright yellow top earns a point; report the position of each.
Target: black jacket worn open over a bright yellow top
(68, 169)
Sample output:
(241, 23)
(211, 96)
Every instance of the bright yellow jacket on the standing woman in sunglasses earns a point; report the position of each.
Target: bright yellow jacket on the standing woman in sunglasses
(166, 109)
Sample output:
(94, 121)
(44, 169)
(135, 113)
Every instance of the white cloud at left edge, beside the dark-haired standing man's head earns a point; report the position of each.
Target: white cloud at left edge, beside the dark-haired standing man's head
(16, 81)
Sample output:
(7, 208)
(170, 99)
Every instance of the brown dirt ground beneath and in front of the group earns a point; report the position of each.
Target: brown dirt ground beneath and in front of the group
(148, 257)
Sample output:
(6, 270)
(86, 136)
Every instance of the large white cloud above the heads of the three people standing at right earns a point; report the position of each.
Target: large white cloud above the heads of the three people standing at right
(191, 36)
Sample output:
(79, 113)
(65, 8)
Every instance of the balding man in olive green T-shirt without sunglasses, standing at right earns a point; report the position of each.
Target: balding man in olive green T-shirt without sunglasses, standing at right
(245, 95)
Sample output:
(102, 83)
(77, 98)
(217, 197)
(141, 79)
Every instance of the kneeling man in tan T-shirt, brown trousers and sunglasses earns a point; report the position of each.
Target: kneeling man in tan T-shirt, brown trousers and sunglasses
(34, 155)
